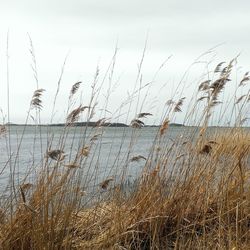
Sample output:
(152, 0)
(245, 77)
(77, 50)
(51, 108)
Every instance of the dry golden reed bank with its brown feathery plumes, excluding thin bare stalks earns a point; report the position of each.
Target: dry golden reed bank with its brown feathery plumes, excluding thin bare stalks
(192, 195)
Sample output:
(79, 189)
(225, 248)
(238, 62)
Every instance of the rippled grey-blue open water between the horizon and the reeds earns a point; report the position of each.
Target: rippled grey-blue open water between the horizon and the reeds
(26, 148)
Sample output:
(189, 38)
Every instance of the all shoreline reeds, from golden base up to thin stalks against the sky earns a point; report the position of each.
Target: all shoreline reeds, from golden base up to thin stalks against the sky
(191, 193)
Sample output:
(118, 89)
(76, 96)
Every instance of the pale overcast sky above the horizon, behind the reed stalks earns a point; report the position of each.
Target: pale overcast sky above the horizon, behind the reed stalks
(87, 33)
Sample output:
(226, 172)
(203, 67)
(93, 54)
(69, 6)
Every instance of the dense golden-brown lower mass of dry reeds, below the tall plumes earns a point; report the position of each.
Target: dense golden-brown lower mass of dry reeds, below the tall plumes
(210, 208)
